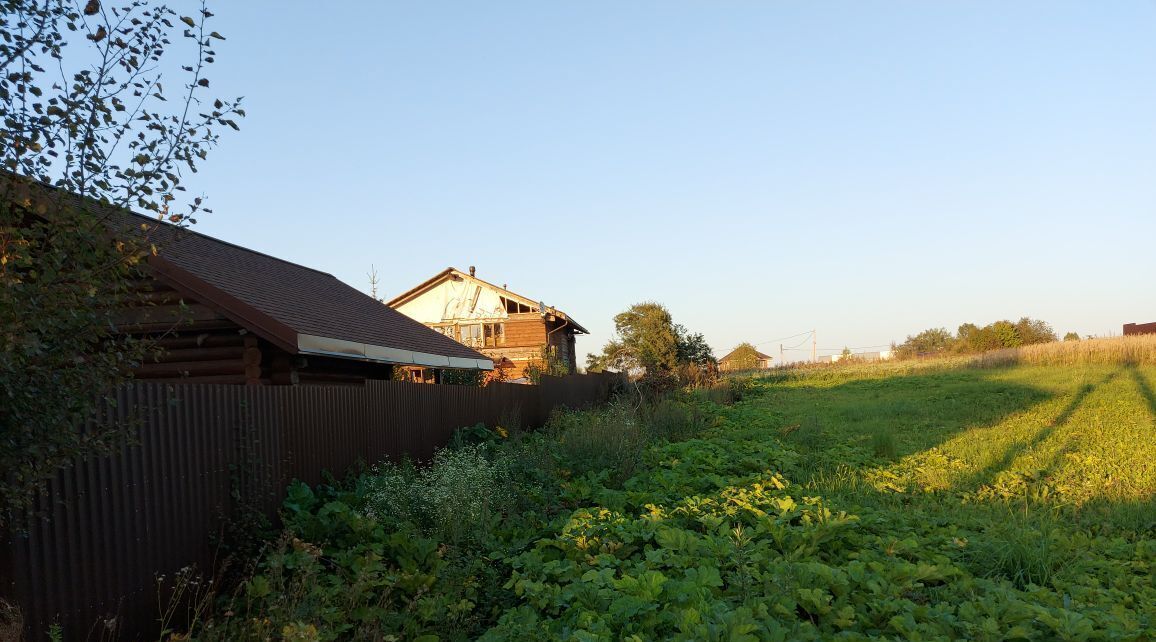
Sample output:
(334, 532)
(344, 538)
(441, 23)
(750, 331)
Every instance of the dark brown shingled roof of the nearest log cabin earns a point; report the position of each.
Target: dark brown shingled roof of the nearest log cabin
(299, 309)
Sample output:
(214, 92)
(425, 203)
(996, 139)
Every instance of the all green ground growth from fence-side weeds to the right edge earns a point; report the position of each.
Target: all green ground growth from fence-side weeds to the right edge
(916, 501)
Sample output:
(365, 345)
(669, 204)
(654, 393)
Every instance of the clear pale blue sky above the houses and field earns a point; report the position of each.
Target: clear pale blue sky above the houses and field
(866, 169)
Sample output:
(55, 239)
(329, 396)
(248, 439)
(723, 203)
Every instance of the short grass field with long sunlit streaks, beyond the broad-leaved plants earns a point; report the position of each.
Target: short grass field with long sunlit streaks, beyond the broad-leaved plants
(1080, 440)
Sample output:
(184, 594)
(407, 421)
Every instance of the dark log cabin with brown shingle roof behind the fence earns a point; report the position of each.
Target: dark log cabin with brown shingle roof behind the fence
(228, 315)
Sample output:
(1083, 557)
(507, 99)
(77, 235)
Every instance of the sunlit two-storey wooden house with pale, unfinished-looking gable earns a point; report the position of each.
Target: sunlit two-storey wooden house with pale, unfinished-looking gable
(510, 329)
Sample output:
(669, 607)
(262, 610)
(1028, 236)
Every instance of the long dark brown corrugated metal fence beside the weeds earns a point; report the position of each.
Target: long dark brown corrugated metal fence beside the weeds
(112, 526)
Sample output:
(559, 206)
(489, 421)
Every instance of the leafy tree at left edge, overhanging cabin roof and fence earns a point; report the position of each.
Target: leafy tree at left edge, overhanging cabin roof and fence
(95, 119)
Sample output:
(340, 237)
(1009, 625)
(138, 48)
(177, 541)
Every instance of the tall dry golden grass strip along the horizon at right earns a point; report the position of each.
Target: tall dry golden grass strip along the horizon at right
(1137, 350)
